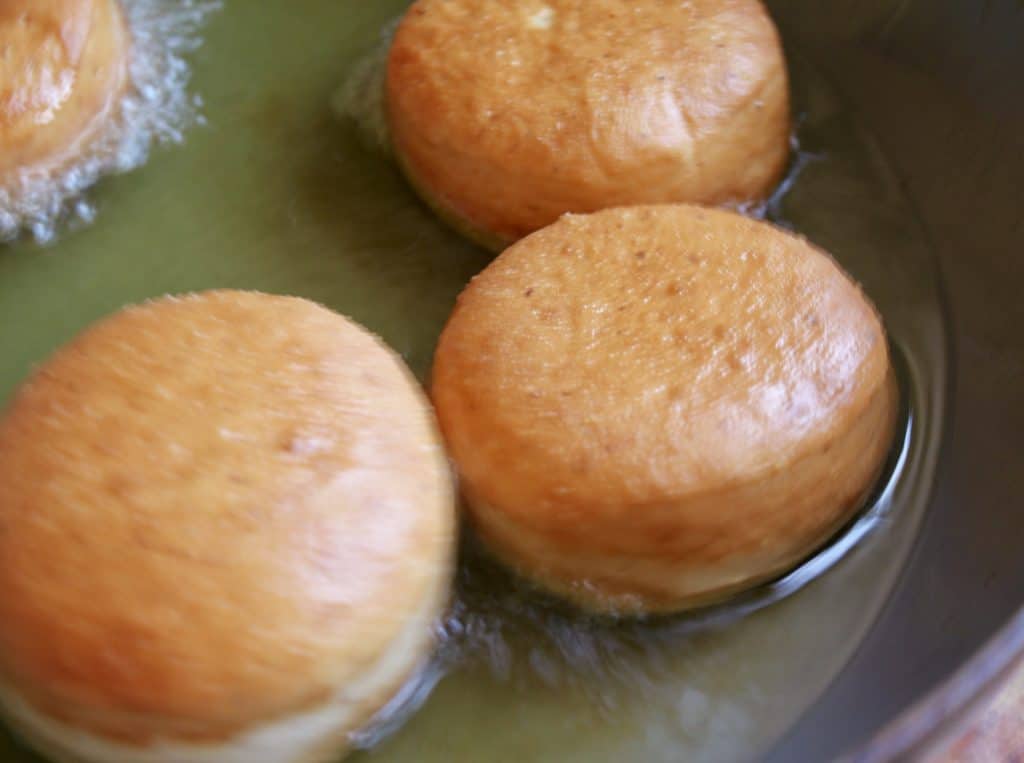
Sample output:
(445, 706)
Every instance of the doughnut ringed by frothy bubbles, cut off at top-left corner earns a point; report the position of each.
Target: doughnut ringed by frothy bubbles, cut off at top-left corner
(65, 65)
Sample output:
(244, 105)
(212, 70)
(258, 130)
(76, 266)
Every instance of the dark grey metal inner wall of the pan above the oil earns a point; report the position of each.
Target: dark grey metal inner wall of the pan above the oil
(941, 83)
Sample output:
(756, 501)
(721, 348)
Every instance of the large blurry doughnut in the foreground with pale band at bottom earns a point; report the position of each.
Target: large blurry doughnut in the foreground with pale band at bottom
(227, 532)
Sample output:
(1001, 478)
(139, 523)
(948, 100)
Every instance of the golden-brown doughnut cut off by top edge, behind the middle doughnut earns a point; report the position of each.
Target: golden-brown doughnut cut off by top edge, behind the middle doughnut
(505, 115)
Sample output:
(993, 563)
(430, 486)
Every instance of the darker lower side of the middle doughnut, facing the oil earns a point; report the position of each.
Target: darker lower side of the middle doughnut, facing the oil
(704, 548)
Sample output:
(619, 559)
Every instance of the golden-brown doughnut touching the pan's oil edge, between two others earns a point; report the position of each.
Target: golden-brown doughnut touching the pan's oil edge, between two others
(654, 408)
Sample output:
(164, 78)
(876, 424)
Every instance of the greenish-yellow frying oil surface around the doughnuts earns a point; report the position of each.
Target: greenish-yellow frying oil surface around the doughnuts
(274, 194)
